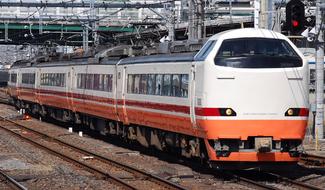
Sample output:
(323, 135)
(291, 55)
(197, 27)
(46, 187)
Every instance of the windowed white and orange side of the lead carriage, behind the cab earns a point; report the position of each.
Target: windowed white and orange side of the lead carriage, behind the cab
(160, 106)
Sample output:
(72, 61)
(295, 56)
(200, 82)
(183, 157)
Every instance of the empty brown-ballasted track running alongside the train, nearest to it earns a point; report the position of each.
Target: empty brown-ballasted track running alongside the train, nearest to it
(119, 174)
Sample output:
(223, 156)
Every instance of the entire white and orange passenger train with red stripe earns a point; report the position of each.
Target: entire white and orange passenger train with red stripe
(242, 98)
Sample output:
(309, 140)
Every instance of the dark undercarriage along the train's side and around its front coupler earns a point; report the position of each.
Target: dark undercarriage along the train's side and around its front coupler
(178, 144)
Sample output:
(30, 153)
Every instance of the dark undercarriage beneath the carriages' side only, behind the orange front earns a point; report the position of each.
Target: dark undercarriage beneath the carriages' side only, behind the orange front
(179, 144)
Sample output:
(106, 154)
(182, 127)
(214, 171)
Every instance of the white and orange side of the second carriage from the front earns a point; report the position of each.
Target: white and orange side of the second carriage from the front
(99, 98)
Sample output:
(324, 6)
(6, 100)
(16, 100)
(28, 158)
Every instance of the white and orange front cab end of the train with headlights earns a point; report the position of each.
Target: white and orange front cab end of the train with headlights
(251, 97)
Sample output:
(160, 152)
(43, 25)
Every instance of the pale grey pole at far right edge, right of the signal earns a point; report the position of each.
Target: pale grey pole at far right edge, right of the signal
(319, 128)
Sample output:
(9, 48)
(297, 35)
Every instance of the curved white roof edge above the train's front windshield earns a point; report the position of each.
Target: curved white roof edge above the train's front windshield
(247, 33)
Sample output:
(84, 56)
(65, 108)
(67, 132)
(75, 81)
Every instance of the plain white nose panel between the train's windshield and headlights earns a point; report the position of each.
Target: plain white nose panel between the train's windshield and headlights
(262, 94)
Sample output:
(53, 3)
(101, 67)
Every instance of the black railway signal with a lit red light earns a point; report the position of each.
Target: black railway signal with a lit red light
(295, 17)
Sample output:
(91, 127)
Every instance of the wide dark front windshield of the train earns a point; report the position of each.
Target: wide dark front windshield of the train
(257, 53)
